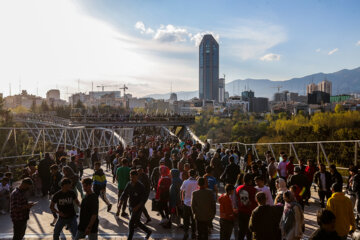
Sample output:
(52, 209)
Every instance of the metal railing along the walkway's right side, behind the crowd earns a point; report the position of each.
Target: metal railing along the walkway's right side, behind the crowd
(319, 147)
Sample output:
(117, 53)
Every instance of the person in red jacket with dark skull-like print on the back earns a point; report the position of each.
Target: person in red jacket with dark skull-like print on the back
(246, 204)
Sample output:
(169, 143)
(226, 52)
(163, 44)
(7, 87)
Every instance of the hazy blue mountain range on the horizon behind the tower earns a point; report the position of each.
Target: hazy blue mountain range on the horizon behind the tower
(344, 81)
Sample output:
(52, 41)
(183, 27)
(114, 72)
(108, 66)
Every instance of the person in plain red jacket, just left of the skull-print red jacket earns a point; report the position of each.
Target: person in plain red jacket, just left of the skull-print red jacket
(227, 213)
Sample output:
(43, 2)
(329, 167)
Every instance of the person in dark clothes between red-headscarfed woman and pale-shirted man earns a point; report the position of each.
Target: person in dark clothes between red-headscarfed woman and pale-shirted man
(175, 199)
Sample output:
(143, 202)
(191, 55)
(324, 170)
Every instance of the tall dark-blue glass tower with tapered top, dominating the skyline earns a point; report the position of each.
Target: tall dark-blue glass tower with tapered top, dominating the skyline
(209, 68)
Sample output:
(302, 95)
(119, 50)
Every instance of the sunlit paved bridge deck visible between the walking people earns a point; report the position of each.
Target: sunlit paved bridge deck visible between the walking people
(112, 227)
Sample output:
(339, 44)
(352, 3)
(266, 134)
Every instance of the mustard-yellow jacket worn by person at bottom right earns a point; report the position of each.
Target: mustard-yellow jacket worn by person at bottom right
(341, 206)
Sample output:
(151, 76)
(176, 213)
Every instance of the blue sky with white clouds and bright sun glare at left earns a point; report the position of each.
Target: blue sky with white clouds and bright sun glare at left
(151, 44)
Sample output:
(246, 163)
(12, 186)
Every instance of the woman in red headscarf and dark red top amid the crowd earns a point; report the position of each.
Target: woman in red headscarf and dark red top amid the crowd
(163, 195)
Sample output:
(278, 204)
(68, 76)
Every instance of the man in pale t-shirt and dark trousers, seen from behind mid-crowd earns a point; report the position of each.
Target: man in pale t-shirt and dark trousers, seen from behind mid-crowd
(187, 188)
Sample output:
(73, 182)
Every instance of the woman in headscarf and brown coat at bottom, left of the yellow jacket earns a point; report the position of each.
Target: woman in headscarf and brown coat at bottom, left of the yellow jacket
(292, 220)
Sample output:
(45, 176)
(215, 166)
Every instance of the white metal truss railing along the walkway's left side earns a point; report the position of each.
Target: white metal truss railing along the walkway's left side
(17, 144)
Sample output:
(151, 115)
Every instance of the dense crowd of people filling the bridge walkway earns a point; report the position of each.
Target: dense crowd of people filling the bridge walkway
(258, 199)
